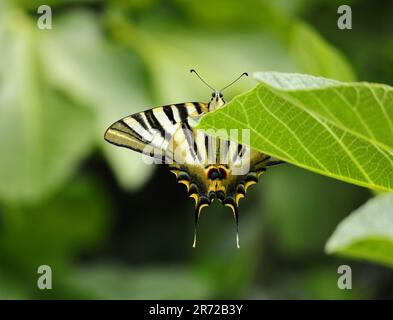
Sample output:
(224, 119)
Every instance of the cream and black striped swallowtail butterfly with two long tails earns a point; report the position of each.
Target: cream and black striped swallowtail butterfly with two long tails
(210, 167)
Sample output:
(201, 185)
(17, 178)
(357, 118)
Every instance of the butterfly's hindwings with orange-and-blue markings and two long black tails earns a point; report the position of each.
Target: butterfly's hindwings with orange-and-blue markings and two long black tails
(226, 179)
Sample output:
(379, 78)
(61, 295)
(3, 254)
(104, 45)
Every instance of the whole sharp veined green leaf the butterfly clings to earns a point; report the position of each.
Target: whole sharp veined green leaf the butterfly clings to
(341, 130)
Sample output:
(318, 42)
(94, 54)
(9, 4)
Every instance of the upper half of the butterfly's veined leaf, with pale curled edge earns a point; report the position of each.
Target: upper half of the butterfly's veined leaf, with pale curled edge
(361, 108)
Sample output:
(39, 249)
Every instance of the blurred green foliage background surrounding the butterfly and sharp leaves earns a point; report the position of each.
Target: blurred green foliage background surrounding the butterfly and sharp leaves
(113, 227)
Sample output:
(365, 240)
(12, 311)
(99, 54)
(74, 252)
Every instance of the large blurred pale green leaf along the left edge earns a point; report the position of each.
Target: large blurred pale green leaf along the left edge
(40, 127)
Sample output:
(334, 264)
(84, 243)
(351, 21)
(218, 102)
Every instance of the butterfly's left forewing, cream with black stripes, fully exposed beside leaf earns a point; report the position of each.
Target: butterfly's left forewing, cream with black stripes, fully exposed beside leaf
(151, 132)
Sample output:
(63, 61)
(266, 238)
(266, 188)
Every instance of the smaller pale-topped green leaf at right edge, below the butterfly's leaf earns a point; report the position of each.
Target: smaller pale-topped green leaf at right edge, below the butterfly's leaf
(367, 233)
